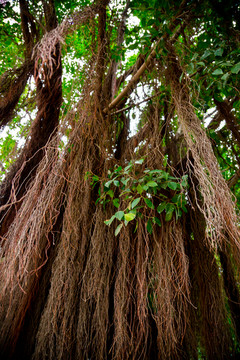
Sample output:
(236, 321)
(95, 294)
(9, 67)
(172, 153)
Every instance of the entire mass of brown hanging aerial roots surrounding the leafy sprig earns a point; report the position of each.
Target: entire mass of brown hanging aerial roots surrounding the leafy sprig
(81, 292)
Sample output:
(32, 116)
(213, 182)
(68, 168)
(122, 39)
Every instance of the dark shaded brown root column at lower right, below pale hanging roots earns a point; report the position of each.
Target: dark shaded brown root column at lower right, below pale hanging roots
(208, 299)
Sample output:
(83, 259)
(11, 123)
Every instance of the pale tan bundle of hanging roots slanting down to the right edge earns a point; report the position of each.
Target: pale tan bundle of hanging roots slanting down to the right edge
(216, 200)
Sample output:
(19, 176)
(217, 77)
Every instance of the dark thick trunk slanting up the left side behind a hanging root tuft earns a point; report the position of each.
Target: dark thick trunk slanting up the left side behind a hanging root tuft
(44, 127)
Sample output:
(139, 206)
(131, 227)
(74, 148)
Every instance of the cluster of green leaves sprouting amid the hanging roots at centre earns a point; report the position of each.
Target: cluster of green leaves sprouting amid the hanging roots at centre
(140, 193)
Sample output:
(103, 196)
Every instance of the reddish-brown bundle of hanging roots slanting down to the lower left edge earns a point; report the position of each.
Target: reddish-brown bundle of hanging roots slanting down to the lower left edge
(26, 246)
